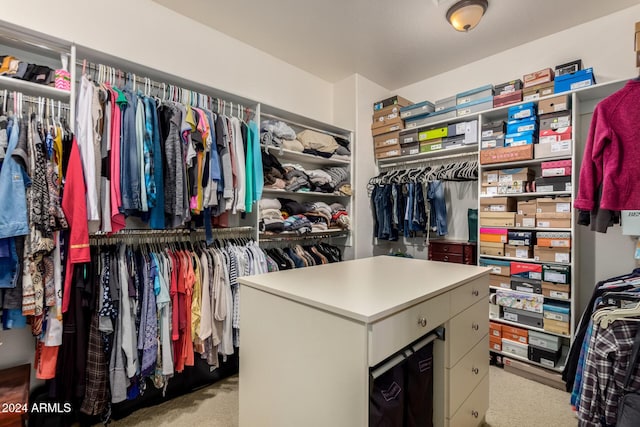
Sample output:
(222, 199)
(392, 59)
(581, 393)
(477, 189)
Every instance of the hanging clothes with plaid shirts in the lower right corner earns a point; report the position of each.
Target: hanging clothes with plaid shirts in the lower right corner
(600, 354)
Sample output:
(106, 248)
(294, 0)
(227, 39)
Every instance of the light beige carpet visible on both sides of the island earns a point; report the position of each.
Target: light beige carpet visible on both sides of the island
(515, 402)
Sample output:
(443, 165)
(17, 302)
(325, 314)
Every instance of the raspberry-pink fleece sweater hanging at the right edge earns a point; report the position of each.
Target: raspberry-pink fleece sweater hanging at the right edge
(612, 153)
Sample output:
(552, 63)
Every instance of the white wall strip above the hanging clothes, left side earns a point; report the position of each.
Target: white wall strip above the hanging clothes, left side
(151, 35)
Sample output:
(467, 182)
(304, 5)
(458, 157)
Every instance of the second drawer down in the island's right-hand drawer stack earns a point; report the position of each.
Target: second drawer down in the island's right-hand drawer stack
(466, 329)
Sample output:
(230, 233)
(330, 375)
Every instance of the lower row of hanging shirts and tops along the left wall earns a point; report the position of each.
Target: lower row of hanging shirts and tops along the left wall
(145, 312)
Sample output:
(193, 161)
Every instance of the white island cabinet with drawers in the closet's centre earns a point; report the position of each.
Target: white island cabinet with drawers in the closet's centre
(309, 338)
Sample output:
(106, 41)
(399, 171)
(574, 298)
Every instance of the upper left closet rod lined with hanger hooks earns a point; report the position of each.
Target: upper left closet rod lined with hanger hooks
(163, 87)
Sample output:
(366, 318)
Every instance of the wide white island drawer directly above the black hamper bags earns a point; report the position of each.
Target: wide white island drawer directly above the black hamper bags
(395, 332)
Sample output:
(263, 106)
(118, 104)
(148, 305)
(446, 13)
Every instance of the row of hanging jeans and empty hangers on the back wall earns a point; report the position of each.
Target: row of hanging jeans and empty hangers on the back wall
(411, 202)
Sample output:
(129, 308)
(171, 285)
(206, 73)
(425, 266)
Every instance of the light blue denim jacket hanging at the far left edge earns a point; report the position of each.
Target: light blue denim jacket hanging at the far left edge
(13, 184)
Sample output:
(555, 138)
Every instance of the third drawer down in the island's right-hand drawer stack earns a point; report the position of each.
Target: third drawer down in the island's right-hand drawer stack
(468, 372)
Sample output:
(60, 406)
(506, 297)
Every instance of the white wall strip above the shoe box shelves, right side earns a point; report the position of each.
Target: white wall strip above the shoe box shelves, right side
(606, 44)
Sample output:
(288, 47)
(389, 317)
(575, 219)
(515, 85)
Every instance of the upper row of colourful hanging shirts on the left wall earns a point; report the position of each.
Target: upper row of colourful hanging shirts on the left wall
(167, 161)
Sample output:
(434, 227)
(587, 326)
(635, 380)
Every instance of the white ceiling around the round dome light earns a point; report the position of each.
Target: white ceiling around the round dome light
(393, 43)
